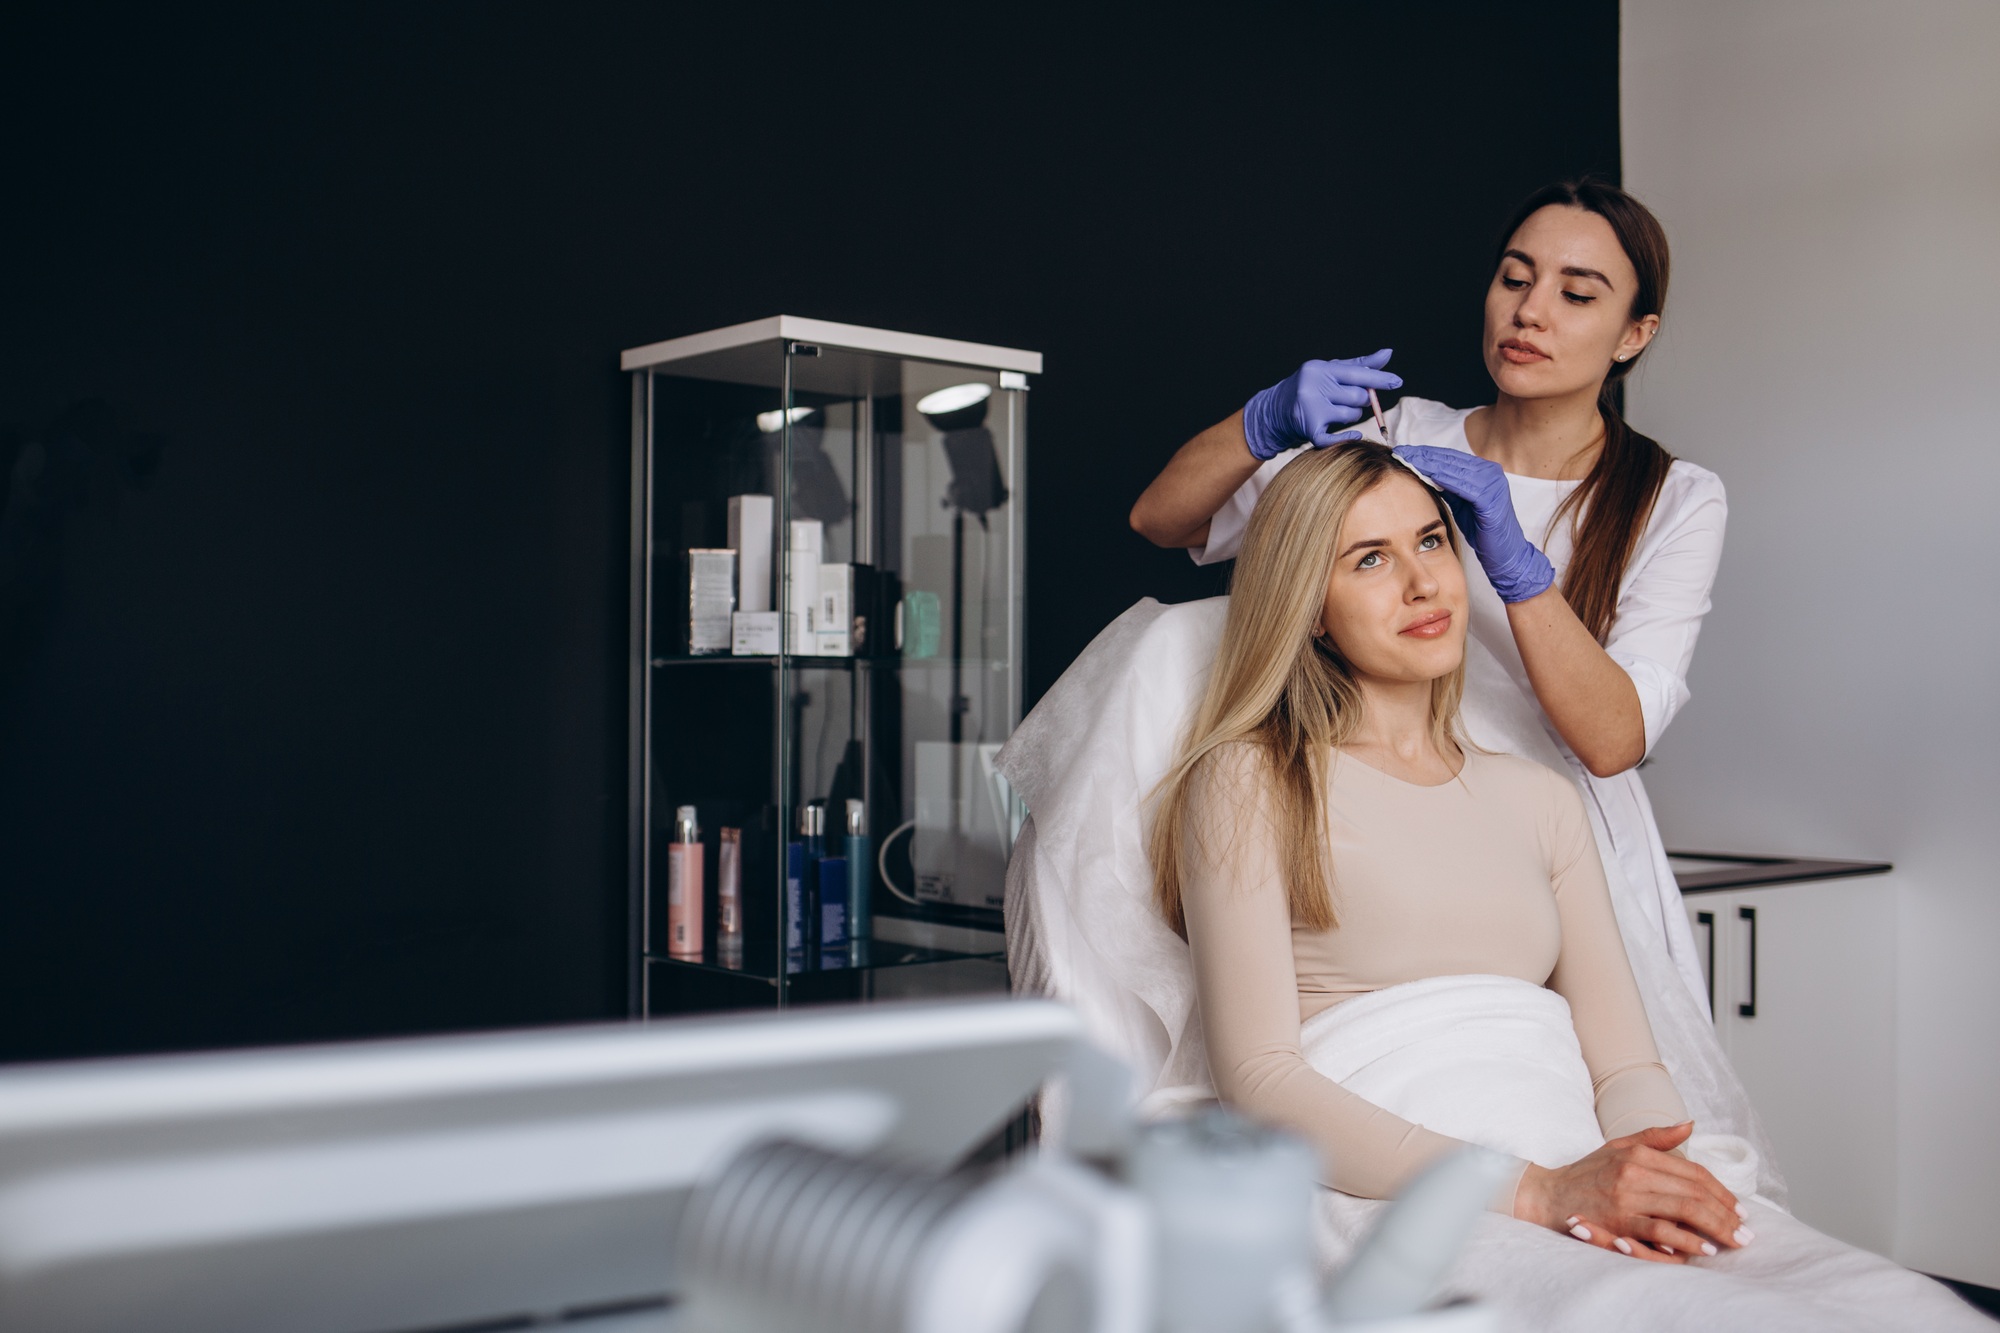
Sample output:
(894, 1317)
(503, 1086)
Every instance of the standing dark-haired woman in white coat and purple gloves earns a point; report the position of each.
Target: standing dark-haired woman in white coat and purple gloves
(1597, 547)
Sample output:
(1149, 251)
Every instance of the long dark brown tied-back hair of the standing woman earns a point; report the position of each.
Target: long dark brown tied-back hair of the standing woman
(1611, 509)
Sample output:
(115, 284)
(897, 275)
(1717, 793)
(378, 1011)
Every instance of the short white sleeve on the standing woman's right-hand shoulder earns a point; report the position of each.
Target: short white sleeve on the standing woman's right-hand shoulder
(1665, 595)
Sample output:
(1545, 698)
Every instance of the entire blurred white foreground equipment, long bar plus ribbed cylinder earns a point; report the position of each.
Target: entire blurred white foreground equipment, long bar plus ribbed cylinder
(773, 1174)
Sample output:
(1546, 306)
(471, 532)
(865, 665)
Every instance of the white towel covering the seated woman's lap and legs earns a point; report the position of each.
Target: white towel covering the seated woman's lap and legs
(1495, 1062)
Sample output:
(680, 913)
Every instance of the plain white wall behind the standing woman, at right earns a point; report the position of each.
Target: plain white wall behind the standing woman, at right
(1829, 173)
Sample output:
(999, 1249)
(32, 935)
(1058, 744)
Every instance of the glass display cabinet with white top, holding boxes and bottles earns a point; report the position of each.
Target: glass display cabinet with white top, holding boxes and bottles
(827, 655)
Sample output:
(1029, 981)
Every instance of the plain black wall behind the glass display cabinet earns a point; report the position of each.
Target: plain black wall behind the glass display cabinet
(313, 533)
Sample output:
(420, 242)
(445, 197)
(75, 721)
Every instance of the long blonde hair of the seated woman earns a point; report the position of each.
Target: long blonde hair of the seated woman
(1283, 692)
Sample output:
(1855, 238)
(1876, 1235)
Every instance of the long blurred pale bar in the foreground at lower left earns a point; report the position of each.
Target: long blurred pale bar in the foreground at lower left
(459, 1180)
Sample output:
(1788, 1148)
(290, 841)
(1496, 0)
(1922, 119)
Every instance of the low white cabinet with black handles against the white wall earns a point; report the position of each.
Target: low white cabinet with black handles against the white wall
(1803, 980)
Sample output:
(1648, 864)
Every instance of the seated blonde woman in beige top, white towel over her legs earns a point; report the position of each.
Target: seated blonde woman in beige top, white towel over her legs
(1329, 846)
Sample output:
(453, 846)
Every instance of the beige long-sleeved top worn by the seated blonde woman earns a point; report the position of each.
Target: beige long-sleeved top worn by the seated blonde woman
(1493, 874)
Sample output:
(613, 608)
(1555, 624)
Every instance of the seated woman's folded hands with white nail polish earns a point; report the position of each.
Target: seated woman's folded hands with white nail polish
(1639, 1198)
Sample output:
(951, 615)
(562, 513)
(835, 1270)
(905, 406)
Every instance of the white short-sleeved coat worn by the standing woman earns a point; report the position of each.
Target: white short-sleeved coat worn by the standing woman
(1661, 607)
